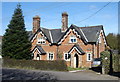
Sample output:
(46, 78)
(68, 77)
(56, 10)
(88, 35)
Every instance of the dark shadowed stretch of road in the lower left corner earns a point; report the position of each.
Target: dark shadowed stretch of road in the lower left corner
(21, 74)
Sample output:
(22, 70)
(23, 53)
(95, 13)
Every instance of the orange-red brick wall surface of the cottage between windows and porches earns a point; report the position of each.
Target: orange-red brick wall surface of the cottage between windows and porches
(66, 46)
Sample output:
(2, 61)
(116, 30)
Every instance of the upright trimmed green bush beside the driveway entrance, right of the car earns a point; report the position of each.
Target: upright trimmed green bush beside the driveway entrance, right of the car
(105, 56)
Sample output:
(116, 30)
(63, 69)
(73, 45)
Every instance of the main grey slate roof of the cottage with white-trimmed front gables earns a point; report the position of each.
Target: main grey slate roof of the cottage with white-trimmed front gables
(87, 34)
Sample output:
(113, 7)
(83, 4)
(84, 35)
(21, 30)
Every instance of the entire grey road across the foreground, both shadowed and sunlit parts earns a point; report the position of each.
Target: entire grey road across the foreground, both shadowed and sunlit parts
(83, 75)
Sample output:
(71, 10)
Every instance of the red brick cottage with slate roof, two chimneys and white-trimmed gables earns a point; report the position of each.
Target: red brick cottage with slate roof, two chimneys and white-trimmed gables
(76, 45)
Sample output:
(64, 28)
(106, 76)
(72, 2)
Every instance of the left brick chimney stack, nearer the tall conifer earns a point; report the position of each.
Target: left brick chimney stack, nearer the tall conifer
(36, 23)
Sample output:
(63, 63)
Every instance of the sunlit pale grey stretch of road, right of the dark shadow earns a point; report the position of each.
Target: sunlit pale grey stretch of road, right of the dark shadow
(81, 75)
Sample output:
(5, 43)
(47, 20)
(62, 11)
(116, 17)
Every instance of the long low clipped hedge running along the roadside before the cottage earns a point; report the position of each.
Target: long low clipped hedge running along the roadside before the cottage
(57, 65)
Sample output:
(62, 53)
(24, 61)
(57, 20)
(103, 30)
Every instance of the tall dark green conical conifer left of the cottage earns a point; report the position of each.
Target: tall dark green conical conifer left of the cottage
(15, 40)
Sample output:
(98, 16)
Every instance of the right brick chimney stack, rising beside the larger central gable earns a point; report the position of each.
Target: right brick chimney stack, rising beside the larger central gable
(64, 22)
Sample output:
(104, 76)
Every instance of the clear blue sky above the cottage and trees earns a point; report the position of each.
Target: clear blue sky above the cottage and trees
(50, 14)
